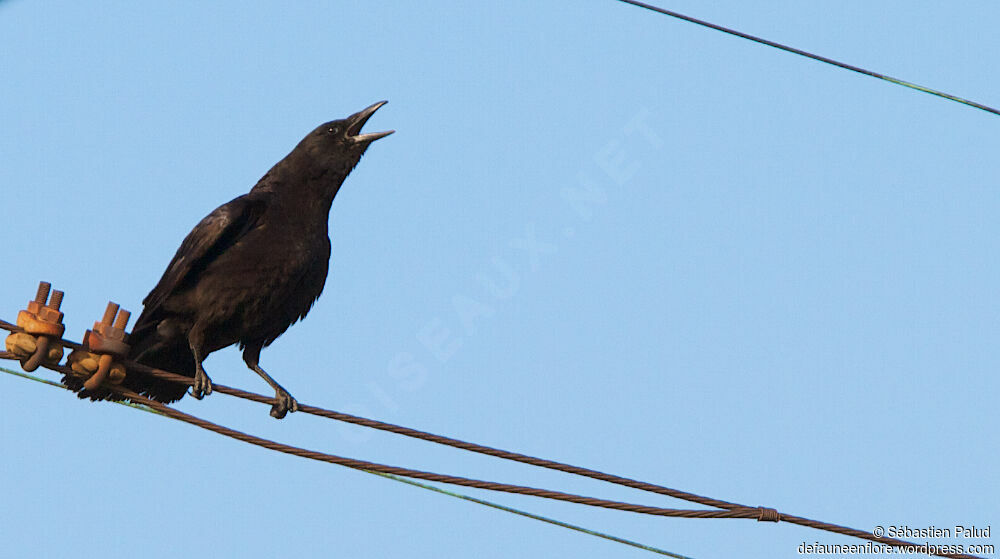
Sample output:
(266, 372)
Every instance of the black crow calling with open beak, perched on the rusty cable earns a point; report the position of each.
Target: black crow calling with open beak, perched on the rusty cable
(250, 269)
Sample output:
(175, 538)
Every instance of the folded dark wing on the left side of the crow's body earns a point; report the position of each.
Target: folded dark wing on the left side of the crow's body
(211, 237)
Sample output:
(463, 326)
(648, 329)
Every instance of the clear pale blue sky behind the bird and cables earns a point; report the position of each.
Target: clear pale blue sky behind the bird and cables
(781, 290)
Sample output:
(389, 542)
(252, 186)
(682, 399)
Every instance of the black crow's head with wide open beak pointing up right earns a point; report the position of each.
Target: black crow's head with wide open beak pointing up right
(339, 144)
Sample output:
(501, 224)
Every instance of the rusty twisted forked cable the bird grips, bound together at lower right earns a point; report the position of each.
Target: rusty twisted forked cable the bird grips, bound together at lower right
(738, 511)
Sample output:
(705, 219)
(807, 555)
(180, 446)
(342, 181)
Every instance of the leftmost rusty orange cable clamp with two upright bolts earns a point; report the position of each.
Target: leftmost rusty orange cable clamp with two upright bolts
(43, 327)
